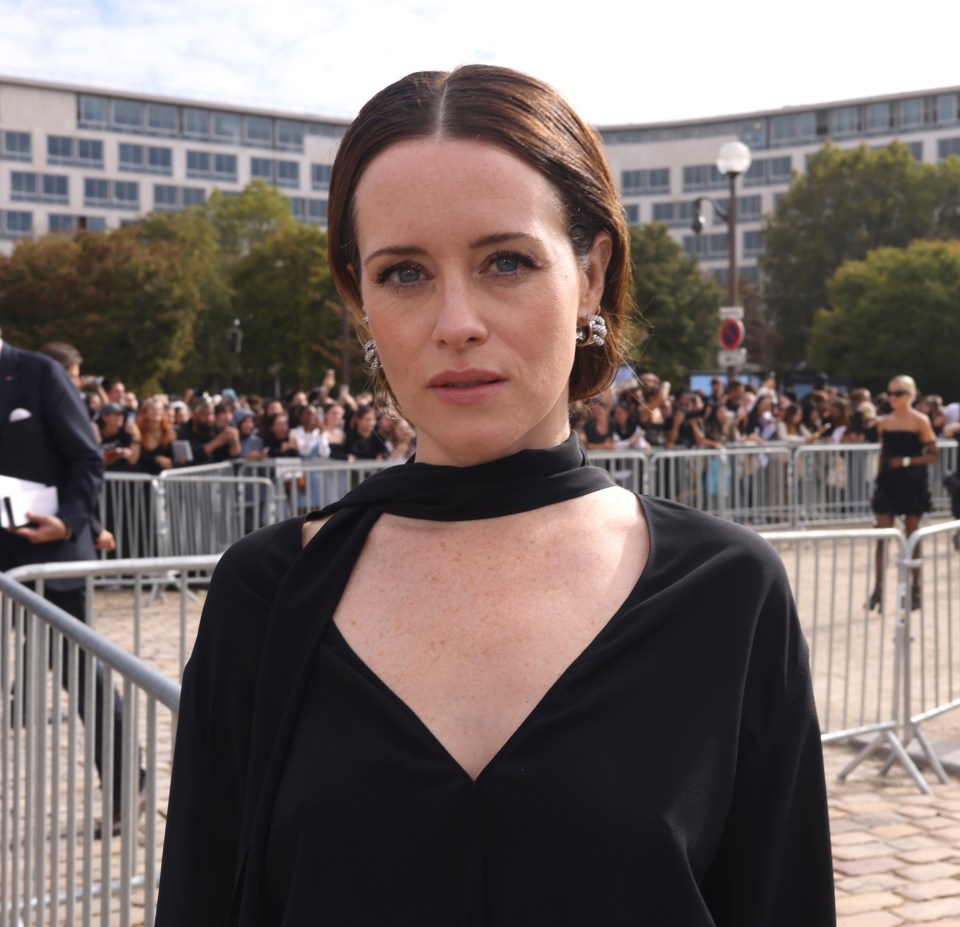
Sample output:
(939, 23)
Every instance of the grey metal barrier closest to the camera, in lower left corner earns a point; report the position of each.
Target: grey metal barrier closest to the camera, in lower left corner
(53, 869)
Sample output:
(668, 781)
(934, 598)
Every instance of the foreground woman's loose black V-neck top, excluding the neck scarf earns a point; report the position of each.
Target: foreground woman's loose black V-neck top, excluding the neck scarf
(672, 775)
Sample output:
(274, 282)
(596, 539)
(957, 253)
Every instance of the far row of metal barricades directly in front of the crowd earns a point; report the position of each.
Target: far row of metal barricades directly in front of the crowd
(202, 510)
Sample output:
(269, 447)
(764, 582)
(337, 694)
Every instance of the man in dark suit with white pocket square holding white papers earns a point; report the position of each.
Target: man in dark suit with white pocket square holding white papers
(45, 437)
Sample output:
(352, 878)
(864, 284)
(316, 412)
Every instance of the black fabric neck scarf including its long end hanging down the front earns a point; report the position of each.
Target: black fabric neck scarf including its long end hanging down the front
(310, 592)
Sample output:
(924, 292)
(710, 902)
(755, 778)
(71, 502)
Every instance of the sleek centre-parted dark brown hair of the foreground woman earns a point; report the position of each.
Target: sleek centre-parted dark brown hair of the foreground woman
(529, 119)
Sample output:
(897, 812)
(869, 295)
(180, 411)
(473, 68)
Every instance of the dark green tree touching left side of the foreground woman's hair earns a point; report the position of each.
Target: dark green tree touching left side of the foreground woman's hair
(285, 300)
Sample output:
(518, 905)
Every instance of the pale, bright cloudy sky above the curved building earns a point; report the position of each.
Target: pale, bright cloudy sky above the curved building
(616, 61)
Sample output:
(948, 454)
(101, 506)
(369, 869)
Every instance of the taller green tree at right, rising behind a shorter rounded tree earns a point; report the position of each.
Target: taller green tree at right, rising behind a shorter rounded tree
(846, 204)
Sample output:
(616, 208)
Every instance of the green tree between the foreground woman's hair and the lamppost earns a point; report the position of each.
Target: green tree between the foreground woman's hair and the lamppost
(679, 308)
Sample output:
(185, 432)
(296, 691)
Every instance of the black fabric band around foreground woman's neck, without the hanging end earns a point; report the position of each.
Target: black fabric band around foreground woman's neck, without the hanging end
(524, 481)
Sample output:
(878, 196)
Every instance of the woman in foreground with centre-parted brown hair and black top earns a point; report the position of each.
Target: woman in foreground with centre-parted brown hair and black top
(409, 708)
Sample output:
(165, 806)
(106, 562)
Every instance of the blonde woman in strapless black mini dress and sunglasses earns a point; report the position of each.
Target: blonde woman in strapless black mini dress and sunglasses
(907, 448)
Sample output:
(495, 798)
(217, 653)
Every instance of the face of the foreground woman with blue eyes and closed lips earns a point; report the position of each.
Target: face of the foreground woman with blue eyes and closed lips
(473, 294)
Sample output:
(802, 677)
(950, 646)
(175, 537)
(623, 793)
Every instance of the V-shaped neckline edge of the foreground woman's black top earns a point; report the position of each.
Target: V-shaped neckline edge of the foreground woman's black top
(545, 697)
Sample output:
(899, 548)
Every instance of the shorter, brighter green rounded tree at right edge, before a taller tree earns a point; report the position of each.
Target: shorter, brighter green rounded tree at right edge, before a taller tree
(896, 311)
